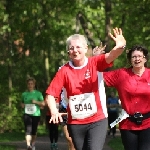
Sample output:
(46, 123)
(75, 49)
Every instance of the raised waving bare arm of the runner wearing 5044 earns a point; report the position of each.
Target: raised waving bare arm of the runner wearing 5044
(120, 45)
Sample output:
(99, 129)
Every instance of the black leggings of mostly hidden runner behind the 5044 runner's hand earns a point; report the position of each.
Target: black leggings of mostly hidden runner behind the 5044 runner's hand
(53, 130)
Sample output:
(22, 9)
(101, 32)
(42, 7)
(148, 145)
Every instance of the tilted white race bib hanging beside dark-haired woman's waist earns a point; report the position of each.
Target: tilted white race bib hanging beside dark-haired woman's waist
(123, 115)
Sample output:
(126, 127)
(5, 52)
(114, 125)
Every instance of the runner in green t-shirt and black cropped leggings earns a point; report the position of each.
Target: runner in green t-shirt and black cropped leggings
(32, 101)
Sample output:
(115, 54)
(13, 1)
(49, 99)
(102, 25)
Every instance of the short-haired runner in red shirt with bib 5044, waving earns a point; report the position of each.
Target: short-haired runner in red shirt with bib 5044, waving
(81, 77)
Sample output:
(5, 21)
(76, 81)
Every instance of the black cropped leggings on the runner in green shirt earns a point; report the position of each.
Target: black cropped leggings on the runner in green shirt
(31, 124)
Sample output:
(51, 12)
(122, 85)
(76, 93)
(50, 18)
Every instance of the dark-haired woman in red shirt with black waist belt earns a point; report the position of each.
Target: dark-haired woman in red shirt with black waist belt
(133, 86)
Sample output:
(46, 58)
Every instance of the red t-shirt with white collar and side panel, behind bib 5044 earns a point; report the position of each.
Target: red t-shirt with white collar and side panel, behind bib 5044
(79, 80)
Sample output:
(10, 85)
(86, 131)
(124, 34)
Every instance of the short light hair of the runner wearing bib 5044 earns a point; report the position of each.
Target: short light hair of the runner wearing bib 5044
(75, 37)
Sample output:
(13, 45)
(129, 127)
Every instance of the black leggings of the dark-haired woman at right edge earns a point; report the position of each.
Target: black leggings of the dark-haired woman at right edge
(136, 140)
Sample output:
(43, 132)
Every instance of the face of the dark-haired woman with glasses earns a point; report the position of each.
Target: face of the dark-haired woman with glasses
(137, 59)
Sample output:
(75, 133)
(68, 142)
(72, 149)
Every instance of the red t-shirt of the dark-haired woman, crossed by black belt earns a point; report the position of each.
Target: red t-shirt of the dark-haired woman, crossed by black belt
(134, 94)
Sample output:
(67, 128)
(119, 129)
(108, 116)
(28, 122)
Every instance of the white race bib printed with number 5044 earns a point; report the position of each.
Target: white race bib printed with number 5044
(82, 106)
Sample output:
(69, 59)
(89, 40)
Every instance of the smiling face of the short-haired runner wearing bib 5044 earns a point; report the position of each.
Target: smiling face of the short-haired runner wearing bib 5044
(77, 50)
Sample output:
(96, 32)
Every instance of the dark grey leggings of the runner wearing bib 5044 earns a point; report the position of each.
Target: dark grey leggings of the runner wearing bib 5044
(88, 136)
